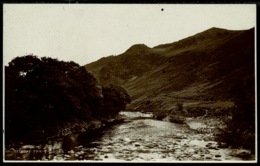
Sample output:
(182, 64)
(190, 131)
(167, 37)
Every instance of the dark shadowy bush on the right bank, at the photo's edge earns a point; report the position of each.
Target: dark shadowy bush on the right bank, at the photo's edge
(240, 130)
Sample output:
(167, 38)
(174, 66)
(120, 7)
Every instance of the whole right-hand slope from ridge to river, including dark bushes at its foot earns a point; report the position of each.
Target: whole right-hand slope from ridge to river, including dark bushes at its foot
(211, 67)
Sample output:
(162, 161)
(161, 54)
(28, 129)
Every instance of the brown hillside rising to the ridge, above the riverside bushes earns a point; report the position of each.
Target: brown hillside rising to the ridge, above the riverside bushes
(211, 68)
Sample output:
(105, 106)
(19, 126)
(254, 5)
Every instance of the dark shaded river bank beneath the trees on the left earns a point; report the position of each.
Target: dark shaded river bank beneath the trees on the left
(64, 140)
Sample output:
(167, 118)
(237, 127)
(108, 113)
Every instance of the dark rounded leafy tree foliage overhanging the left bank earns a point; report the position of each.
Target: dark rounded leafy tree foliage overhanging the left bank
(43, 93)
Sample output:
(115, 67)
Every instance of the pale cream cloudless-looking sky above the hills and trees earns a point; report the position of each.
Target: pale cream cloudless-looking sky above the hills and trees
(86, 32)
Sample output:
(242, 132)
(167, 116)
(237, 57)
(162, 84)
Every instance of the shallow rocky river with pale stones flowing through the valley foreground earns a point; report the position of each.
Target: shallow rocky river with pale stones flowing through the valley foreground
(138, 138)
